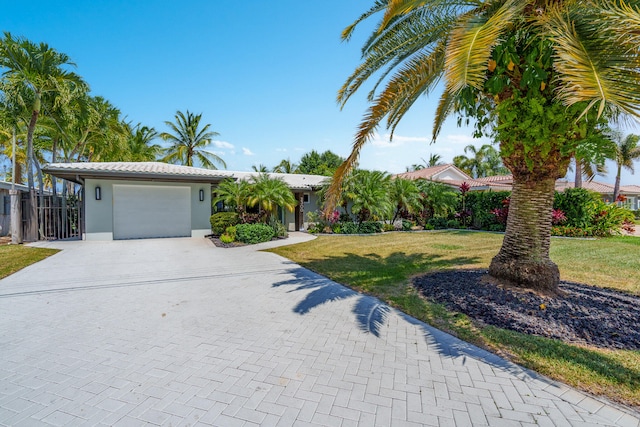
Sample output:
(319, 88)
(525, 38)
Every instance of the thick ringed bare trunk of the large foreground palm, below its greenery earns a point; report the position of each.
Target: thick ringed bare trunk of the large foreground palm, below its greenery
(524, 259)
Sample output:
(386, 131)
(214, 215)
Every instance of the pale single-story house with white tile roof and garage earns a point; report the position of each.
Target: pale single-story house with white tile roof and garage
(131, 200)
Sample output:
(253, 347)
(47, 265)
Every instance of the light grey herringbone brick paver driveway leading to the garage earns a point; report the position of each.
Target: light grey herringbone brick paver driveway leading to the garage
(178, 332)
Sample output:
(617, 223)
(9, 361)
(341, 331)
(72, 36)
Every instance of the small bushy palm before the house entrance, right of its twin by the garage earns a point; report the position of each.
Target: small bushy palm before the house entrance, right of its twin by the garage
(269, 193)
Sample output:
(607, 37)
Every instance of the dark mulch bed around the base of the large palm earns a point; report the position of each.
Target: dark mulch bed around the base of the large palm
(579, 314)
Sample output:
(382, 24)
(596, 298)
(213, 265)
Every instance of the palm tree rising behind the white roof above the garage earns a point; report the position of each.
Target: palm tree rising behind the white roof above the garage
(188, 142)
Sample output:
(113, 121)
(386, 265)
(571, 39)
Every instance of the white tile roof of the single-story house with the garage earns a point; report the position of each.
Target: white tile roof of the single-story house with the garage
(163, 171)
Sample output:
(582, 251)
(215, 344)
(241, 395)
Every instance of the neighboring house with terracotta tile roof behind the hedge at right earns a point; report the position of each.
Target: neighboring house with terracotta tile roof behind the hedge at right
(451, 175)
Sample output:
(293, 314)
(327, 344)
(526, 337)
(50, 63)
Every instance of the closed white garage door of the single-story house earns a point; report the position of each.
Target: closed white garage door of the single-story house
(151, 211)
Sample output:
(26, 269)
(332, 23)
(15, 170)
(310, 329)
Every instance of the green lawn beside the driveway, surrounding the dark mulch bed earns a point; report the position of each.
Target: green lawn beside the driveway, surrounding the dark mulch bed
(383, 264)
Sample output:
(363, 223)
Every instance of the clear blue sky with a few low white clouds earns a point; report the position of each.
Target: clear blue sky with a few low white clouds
(264, 74)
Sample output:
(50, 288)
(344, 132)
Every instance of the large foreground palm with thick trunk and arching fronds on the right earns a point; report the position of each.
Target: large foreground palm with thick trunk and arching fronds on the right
(531, 73)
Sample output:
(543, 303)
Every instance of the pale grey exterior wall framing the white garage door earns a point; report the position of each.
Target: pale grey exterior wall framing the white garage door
(99, 213)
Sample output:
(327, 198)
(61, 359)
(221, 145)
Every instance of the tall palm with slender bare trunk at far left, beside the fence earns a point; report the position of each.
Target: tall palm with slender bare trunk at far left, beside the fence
(35, 76)
